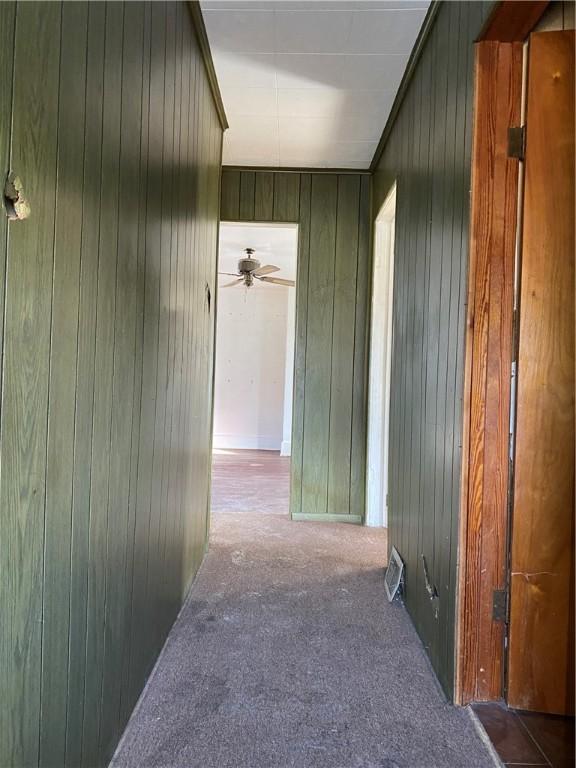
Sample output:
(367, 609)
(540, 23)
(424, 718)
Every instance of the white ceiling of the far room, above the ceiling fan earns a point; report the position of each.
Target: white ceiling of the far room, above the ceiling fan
(275, 244)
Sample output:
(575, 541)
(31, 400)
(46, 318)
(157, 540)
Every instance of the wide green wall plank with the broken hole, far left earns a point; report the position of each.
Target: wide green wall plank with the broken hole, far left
(26, 365)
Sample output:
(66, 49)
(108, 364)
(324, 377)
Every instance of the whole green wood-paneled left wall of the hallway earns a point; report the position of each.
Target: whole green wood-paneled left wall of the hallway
(107, 342)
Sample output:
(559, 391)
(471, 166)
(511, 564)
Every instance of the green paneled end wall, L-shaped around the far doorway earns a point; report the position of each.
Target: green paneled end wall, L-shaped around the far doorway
(329, 415)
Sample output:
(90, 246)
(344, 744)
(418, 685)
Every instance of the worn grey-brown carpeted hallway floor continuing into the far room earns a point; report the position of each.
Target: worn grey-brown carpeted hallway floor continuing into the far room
(287, 654)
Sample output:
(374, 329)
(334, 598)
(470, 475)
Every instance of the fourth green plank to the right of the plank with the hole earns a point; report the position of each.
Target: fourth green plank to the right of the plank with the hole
(123, 372)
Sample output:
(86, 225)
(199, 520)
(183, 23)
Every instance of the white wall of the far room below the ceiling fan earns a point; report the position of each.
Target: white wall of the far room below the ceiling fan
(250, 367)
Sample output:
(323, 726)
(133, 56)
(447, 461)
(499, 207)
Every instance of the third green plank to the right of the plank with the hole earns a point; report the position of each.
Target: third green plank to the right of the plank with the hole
(103, 385)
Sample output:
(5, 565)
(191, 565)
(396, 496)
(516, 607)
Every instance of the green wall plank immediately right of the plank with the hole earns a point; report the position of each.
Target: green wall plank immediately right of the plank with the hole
(62, 385)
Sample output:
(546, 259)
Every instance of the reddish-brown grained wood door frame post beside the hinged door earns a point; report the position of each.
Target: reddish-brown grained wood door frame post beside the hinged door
(484, 517)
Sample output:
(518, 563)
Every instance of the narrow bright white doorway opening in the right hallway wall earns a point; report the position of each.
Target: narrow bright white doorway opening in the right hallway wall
(380, 364)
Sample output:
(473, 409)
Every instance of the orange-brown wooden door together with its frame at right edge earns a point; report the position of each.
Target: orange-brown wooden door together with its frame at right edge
(515, 608)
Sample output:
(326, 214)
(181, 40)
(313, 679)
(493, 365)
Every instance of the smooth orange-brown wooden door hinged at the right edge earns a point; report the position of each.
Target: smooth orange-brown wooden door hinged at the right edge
(541, 640)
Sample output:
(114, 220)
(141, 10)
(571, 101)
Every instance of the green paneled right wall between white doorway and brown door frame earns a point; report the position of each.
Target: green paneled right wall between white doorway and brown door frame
(428, 153)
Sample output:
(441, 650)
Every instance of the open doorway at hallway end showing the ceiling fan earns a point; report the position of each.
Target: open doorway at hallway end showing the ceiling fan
(254, 364)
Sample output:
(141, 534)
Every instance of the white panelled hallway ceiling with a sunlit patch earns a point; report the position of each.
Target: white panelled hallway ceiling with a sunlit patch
(309, 84)
